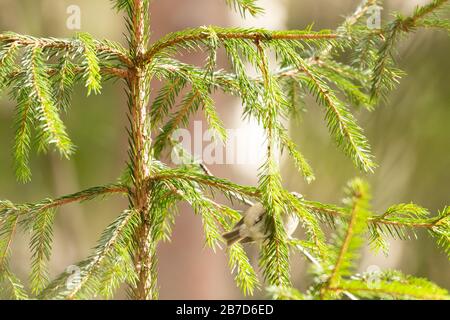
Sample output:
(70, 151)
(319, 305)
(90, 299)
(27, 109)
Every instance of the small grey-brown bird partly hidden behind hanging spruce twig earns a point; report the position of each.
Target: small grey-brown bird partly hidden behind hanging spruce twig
(252, 226)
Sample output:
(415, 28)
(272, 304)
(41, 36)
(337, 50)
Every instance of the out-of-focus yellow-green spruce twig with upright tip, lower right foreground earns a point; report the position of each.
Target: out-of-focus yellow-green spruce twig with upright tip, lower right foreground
(335, 277)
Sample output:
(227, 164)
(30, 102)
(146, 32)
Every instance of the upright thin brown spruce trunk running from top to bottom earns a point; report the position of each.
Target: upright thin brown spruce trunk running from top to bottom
(139, 154)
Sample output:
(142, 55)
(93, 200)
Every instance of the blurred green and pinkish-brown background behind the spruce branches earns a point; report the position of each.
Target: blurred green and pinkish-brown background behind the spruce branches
(410, 137)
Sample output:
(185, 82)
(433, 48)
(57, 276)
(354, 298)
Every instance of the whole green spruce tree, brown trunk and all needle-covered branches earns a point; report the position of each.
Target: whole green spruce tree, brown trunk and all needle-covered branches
(344, 69)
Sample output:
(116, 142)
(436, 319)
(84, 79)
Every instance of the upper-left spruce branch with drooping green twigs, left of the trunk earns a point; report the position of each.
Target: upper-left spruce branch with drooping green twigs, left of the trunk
(42, 89)
